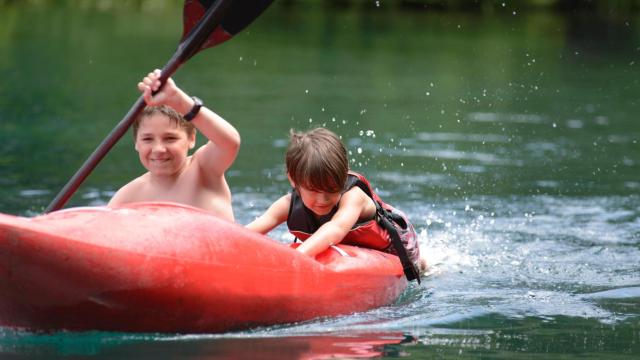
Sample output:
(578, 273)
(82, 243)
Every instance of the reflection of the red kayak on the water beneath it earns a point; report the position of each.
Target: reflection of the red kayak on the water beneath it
(241, 346)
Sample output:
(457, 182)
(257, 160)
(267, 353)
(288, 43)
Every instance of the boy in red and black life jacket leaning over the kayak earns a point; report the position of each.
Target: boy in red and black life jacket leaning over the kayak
(330, 204)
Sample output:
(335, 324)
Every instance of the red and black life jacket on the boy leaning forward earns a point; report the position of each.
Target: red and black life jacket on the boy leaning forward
(373, 233)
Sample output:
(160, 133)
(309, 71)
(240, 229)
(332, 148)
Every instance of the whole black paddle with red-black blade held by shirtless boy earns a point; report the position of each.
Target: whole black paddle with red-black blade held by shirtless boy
(206, 23)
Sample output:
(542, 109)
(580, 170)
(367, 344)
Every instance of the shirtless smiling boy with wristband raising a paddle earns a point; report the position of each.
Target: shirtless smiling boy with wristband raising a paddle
(163, 138)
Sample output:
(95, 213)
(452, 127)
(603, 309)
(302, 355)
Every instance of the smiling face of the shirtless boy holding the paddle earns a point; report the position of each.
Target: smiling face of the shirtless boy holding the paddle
(162, 145)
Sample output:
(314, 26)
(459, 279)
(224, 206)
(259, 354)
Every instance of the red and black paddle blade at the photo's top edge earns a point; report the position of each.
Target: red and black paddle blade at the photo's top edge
(238, 16)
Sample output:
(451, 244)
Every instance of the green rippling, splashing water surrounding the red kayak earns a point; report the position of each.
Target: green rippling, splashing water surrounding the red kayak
(511, 140)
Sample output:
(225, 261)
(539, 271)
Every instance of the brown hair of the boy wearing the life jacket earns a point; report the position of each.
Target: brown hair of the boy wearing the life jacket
(317, 160)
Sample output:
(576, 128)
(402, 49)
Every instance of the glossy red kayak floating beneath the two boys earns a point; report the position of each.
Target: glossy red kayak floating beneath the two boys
(161, 267)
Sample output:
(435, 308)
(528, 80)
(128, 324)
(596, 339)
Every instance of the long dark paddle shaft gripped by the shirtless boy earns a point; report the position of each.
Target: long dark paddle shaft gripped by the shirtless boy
(186, 49)
